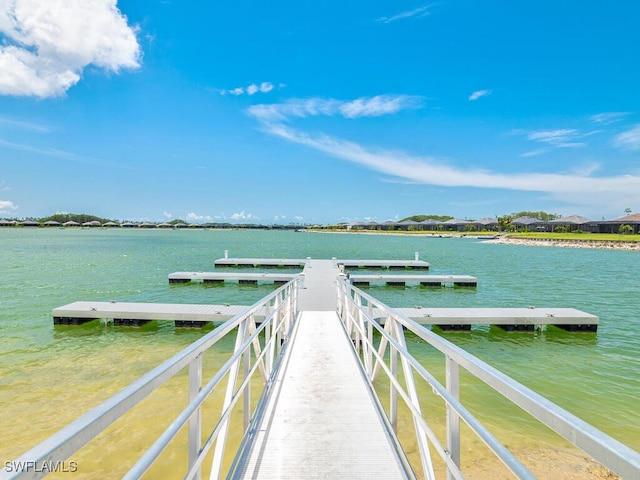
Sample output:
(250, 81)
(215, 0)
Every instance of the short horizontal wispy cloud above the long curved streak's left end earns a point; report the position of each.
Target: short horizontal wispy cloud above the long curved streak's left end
(361, 107)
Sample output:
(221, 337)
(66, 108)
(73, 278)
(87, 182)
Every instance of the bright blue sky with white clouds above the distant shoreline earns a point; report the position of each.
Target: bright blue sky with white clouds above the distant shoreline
(292, 112)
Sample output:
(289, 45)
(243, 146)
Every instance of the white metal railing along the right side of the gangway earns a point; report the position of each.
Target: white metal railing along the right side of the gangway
(363, 315)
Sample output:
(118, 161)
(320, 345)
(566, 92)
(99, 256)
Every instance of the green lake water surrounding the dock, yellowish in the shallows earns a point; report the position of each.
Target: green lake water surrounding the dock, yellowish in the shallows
(51, 375)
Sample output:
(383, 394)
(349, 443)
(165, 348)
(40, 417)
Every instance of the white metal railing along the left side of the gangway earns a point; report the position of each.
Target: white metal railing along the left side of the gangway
(266, 339)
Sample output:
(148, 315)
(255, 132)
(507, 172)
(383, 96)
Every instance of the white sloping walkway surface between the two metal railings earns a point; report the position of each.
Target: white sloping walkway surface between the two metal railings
(321, 419)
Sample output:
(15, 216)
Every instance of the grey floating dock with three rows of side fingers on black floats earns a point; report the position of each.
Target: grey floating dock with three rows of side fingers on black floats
(321, 277)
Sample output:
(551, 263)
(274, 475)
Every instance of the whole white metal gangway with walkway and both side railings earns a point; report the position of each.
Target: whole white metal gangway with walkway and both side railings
(301, 325)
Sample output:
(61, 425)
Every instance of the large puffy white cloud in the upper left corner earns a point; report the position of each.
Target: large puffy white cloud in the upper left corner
(48, 43)
